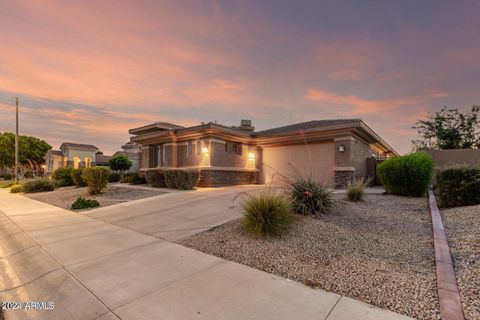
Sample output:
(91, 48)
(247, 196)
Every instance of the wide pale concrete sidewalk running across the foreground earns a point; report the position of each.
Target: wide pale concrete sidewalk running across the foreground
(91, 269)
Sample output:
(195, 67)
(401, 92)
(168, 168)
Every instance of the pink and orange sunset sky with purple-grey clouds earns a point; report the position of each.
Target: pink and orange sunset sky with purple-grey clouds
(87, 71)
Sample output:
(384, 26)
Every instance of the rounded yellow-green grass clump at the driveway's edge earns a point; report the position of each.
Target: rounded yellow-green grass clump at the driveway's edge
(267, 213)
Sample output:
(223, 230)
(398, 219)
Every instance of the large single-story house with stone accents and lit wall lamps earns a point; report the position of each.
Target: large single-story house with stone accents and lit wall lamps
(331, 150)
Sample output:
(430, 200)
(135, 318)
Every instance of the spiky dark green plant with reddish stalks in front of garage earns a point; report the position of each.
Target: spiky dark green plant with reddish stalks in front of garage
(309, 196)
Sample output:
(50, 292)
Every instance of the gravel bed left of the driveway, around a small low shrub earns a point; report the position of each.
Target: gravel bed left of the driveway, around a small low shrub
(64, 197)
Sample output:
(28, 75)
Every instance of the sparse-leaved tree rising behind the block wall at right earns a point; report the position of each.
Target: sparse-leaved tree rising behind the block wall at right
(449, 129)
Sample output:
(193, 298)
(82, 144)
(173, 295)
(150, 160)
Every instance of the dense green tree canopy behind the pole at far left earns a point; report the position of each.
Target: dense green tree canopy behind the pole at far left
(30, 149)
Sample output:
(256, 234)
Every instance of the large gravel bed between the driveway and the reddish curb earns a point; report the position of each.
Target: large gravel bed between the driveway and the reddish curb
(379, 251)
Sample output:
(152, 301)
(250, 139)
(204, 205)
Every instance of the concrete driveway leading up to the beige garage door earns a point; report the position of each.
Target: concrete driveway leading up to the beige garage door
(177, 214)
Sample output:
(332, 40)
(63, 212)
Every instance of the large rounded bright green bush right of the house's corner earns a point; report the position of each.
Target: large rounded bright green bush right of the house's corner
(408, 175)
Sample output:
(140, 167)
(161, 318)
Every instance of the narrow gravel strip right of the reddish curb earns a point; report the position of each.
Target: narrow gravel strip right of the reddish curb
(463, 231)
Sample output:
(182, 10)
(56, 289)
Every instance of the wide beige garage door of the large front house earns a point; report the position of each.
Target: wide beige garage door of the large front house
(317, 159)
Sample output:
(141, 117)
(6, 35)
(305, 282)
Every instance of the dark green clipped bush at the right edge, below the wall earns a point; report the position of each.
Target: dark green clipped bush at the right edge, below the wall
(458, 186)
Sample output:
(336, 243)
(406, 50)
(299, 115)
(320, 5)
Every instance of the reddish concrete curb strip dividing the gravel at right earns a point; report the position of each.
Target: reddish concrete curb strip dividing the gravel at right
(448, 294)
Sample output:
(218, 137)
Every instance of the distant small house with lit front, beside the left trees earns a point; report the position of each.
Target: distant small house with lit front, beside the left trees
(71, 155)
